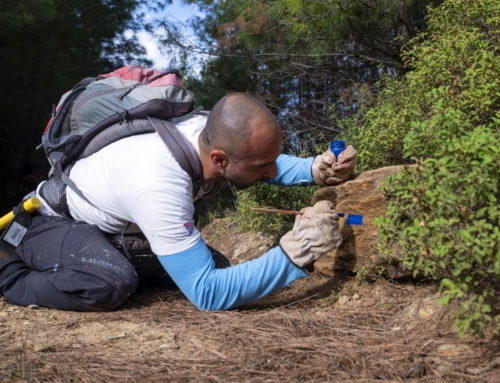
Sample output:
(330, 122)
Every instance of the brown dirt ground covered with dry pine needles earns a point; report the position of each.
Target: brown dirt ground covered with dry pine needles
(318, 329)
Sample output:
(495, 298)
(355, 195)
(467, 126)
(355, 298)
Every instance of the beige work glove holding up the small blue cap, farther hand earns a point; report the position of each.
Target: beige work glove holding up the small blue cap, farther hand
(327, 170)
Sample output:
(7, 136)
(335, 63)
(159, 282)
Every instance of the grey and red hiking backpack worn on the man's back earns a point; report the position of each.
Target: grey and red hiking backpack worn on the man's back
(99, 111)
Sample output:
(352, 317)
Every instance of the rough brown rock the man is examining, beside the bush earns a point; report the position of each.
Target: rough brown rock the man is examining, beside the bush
(361, 195)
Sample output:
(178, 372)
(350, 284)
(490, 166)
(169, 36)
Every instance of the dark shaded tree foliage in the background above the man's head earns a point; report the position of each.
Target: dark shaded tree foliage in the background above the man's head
(298, 56)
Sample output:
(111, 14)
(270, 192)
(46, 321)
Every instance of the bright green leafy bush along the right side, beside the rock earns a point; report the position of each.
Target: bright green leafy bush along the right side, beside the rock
(444, 212)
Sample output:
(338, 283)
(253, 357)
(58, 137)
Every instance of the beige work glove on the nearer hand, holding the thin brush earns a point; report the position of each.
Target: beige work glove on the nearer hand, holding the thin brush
(315, 232)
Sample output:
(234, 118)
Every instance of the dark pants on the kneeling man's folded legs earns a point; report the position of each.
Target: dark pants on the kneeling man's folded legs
(67, 265)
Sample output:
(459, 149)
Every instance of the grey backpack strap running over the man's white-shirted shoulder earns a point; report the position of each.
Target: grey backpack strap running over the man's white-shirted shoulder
(181, 149)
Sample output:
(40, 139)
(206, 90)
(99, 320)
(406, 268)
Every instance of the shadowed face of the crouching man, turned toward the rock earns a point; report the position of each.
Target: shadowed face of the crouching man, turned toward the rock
(258, 160)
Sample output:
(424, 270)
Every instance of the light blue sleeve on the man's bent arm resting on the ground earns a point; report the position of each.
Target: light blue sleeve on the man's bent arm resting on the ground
(208, 288)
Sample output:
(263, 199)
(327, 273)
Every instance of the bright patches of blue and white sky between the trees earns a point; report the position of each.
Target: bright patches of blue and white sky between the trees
(176, 11)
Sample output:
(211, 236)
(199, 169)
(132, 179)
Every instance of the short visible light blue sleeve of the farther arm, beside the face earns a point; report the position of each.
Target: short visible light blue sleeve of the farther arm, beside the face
(293, 171)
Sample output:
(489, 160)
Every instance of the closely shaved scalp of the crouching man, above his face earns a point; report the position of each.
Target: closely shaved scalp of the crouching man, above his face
(231, 121)
